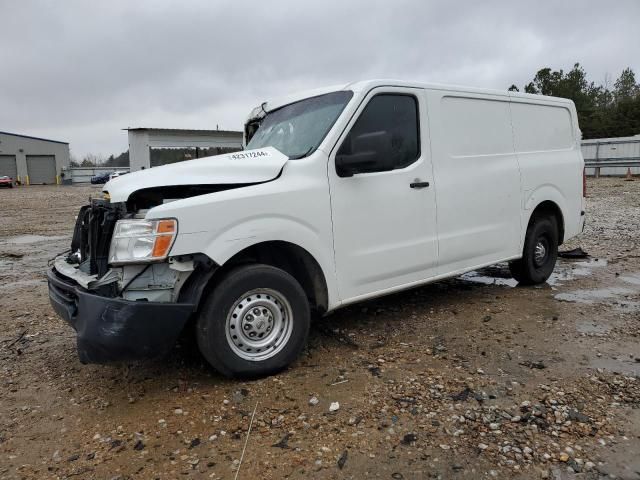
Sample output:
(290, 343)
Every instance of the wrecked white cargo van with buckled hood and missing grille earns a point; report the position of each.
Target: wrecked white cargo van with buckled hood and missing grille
(342, 194)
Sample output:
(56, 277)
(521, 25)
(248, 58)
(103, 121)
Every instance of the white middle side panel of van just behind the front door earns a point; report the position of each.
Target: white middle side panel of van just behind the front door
(476, 177)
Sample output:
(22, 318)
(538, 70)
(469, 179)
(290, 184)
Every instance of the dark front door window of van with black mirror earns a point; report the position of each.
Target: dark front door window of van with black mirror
(385, 137)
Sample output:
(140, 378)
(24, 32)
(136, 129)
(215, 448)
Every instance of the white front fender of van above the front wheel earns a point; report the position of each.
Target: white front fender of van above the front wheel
(293, 208)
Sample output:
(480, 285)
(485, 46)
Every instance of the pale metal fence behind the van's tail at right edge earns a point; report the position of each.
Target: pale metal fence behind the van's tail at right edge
(613, 156)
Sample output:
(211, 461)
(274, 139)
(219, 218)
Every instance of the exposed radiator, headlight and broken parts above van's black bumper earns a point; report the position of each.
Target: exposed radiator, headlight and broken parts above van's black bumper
(119, 254)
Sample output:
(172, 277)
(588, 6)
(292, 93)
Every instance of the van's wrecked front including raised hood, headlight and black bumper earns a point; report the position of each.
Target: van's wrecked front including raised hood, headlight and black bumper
(119, 286)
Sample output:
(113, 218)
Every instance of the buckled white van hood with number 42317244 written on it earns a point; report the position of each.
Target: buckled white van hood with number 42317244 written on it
(248, 166)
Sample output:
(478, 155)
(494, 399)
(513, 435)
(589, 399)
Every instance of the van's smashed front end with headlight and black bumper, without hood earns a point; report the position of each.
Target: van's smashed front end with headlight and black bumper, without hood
(119, 289)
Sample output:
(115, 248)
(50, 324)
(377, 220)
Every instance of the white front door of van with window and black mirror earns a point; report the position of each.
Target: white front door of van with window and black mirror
(382, 196)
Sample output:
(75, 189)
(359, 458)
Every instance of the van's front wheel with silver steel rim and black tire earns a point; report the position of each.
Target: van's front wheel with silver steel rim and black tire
(248, 283)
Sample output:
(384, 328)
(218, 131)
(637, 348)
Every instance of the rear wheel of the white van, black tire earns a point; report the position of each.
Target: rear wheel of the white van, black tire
(532, 269)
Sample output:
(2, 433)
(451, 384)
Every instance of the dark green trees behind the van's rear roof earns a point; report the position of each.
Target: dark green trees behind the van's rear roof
(603, 110)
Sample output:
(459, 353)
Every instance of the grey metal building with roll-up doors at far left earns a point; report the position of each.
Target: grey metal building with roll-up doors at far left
(32, 160)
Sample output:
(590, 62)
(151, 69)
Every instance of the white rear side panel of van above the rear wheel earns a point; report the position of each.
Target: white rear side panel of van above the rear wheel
(546, 139)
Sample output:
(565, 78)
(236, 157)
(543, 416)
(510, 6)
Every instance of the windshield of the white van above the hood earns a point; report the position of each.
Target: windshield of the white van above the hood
(298, 129)
